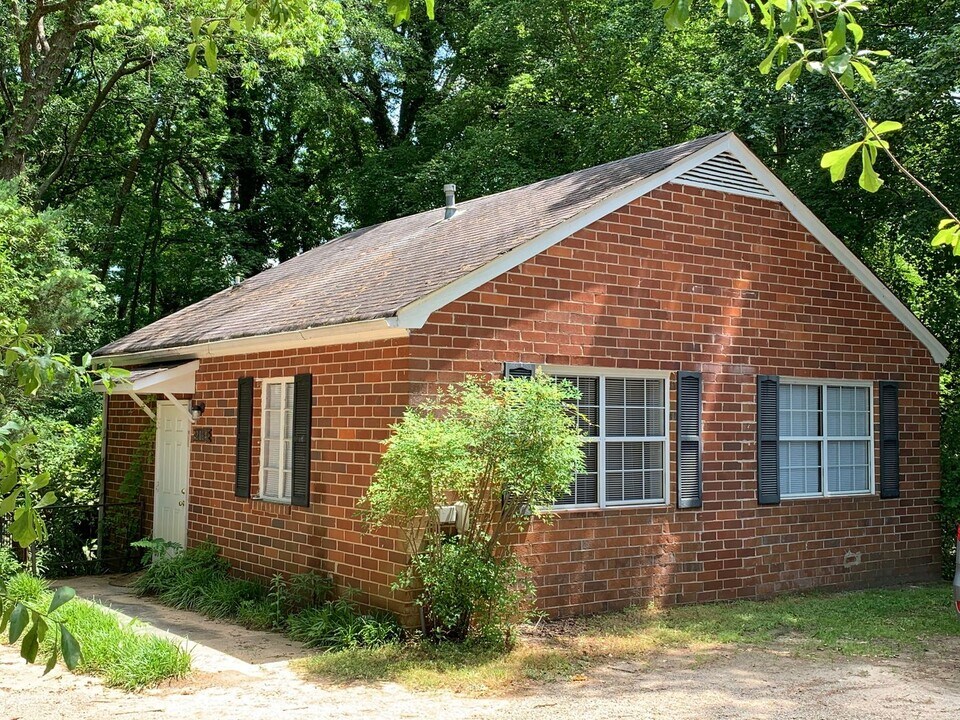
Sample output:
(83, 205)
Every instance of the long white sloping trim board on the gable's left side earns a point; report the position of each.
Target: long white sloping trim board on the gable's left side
(414, 315)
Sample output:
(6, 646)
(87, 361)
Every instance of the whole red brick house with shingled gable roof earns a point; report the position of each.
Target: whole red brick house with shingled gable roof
(766, 409)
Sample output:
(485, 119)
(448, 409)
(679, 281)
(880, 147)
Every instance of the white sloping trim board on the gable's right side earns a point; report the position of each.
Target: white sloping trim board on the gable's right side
(821, 232)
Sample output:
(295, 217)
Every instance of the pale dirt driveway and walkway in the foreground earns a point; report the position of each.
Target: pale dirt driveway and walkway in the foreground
(246, 675)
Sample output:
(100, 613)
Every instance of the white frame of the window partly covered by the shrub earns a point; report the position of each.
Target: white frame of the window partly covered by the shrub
(601, 439)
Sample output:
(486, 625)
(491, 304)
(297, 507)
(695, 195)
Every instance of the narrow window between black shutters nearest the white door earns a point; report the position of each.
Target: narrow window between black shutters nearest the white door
(276, 440)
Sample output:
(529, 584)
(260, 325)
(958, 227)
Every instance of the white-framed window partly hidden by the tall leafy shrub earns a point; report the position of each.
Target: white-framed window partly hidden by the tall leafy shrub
(626, 447)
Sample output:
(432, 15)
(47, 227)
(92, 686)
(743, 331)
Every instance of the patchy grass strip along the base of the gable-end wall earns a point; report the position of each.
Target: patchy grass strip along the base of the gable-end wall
(876, 623)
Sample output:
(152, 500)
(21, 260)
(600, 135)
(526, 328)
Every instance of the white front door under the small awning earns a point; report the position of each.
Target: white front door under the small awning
(170, 475)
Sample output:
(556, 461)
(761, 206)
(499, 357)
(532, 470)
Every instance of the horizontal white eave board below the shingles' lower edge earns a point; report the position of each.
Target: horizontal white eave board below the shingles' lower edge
(355, 332)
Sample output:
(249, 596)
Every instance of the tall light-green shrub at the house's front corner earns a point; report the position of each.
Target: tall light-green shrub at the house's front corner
(462, 475)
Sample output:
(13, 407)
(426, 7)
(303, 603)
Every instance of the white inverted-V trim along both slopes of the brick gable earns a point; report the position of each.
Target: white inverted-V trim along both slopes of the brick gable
(415, 314)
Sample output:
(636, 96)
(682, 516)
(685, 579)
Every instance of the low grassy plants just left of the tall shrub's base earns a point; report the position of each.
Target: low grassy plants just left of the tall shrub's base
(338, 626)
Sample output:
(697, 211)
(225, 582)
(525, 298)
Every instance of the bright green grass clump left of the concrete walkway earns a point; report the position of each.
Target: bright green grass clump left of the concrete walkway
(124, 657)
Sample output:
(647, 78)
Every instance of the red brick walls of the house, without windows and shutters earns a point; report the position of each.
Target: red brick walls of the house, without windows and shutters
(681, 279)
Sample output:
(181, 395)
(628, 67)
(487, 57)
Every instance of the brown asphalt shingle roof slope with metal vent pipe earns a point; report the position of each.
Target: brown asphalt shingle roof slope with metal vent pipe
(374, 271)
